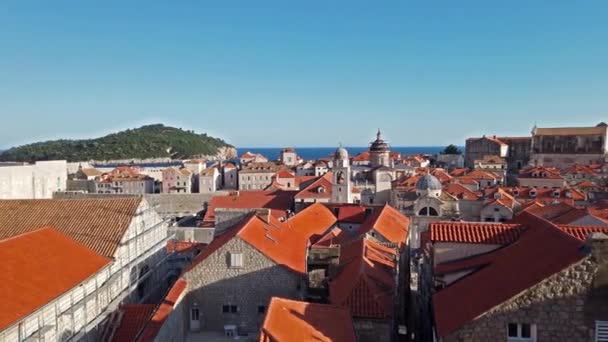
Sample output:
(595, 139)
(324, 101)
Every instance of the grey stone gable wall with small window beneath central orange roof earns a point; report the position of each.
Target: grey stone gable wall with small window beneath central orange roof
(212, 284)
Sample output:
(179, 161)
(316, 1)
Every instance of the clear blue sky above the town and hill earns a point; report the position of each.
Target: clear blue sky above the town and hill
(309, 73)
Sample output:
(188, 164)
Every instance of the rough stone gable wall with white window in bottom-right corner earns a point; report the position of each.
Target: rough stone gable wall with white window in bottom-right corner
(559, 306)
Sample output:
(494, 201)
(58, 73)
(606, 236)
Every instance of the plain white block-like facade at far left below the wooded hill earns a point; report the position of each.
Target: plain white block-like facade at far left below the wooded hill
(33, 181)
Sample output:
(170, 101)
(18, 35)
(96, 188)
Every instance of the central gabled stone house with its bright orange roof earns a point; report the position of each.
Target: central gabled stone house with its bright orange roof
(230, 284)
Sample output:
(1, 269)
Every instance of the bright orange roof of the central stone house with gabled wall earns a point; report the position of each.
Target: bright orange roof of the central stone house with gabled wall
(286, 243)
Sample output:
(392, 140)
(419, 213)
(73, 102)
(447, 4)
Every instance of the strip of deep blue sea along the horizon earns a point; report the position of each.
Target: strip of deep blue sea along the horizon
(314, 153)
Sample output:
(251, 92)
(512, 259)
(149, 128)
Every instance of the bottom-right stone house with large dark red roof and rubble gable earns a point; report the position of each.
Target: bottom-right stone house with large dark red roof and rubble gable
(542, 283)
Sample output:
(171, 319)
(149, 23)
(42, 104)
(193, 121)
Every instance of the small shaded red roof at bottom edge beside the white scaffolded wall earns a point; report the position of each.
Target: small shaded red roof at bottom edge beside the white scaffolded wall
(134, 318)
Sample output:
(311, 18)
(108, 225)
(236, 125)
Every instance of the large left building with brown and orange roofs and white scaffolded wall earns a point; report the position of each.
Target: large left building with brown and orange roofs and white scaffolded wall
(101, 253)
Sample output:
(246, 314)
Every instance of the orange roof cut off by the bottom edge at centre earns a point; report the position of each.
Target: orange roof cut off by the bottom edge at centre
(290, 320)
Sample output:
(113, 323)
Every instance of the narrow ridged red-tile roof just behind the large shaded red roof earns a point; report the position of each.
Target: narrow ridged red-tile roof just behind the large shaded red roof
(475, 232)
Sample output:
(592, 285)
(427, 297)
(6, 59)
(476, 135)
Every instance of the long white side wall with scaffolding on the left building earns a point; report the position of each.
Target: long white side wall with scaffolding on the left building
(135, 274)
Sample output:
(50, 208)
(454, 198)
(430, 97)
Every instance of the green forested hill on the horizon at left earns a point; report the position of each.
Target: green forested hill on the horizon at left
(152, 141)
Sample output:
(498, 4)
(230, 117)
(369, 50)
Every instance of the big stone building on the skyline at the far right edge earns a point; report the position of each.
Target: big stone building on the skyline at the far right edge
(565, 146)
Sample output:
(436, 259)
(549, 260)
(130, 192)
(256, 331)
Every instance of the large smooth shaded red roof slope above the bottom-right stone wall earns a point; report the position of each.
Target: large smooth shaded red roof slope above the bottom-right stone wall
(541, 251)
